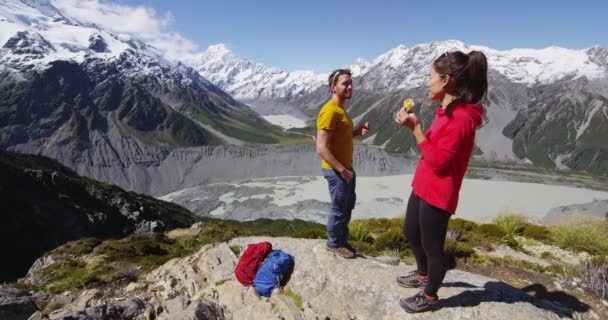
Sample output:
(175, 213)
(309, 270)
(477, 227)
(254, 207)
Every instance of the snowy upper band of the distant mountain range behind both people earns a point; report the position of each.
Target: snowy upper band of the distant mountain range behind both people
(399, 68)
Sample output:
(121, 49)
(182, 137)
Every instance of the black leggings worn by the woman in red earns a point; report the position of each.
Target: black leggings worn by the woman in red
(425, 228)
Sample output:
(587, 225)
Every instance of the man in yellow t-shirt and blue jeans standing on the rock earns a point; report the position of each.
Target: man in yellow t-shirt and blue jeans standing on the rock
(335, 147)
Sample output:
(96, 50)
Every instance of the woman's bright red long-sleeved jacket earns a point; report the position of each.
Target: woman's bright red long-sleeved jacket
(445, 156)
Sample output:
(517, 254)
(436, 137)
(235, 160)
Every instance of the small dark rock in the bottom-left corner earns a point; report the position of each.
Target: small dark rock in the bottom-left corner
(16, 304)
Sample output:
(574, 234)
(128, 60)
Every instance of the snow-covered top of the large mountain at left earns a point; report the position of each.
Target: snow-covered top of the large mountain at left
(35, 33)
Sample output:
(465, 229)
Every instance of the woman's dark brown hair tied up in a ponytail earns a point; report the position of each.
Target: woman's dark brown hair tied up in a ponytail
(468, 72)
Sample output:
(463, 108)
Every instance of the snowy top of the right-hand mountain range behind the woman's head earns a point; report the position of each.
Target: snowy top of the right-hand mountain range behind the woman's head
(407, 67)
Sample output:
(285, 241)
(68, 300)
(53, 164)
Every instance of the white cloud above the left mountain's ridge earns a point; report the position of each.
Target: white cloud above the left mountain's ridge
(140, 21)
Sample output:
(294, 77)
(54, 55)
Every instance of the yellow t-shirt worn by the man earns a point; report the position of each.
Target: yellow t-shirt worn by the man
(335, 119)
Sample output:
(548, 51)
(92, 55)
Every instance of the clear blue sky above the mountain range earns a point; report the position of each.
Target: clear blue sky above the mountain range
(320, 35)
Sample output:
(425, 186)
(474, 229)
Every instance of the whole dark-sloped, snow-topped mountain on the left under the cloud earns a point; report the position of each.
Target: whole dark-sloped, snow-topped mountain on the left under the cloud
(89, 97)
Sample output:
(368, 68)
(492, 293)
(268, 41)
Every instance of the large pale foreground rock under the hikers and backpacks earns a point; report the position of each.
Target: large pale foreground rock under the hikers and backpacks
(326, 286)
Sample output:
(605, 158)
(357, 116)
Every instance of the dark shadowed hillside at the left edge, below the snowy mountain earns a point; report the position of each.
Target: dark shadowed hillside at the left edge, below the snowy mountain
(46, 204)
